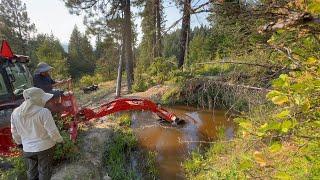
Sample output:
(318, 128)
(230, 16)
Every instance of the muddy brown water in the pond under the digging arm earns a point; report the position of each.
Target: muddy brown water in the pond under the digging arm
(174, 144)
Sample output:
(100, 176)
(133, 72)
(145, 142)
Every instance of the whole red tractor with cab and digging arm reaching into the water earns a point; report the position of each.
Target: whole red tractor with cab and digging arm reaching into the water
(15, 77)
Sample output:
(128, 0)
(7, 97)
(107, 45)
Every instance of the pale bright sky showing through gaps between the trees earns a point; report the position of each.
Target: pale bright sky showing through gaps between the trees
(52, 17)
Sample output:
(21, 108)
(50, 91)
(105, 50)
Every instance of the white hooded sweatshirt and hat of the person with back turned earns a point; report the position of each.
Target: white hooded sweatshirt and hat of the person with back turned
(32, 125)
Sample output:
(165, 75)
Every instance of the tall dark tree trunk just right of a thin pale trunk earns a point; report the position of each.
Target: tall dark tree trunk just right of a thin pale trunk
(128, 44)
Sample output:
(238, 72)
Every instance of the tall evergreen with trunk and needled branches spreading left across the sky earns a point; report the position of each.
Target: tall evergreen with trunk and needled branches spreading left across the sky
(109, 16)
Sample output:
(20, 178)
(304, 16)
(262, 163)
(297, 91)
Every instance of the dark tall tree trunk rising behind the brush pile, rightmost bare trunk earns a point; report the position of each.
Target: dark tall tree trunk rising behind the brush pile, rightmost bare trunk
(185, 30)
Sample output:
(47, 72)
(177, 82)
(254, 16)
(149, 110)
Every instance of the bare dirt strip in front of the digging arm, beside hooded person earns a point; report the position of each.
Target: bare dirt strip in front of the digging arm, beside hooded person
(90, 162)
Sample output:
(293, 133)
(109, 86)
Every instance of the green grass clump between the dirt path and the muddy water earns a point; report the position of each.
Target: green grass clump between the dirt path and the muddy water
(122, 149)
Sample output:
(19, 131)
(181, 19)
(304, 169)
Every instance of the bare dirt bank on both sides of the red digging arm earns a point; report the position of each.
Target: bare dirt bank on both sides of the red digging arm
(92, 140)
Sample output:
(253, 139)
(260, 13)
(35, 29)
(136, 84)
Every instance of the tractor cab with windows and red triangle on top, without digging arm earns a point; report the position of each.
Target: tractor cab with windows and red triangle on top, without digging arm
(14, 78)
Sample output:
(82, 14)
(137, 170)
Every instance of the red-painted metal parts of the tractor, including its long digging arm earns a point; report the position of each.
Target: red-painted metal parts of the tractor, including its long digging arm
(71, 109)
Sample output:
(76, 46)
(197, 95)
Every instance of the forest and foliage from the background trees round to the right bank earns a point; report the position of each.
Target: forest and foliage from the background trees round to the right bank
(259, 59)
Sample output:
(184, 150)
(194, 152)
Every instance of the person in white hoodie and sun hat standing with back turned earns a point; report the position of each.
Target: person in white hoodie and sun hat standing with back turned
(33, 127)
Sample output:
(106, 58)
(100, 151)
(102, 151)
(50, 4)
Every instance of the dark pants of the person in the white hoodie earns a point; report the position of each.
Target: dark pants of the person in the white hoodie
(39, 164)
